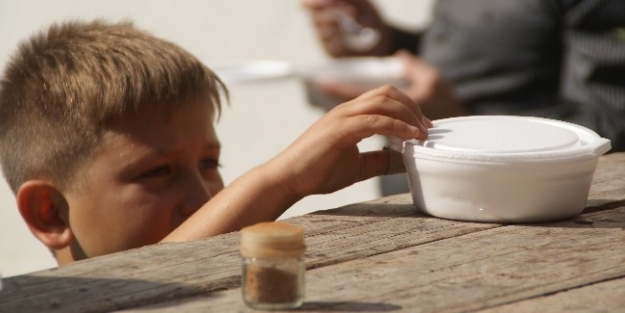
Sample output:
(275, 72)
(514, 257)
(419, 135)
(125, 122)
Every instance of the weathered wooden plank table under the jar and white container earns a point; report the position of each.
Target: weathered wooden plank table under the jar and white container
(375, 256)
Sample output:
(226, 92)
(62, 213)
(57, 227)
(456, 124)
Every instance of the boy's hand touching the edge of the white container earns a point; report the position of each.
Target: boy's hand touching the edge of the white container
(326, 157)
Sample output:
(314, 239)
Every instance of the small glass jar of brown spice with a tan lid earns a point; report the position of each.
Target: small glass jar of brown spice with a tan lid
(273, 266)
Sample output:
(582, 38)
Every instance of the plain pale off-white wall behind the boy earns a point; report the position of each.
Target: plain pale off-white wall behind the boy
(263, 116)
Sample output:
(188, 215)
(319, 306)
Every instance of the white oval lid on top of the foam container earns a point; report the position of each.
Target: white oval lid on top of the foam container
(504, 139)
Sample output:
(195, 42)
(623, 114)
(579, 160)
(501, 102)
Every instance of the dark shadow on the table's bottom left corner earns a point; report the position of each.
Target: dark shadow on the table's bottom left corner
(38, 293)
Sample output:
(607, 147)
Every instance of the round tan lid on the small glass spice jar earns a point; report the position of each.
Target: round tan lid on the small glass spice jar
(272, 240)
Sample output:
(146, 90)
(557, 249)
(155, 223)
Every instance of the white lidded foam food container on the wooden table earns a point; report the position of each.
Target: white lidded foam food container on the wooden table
(502, 168)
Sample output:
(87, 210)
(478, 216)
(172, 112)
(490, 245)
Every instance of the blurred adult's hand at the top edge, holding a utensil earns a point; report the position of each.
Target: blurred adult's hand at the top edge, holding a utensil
(335, 20)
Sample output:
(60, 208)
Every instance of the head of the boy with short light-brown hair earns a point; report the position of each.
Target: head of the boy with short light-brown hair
(101, 125)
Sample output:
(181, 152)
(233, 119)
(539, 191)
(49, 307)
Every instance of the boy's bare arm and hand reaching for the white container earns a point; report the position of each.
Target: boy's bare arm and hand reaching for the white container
(322, 160)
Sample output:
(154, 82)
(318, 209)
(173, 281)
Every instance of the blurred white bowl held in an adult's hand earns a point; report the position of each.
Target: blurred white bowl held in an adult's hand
(366, 72)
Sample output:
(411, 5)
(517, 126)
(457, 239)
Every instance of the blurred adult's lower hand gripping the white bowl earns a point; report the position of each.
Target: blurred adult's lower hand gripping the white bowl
(425, 86)
